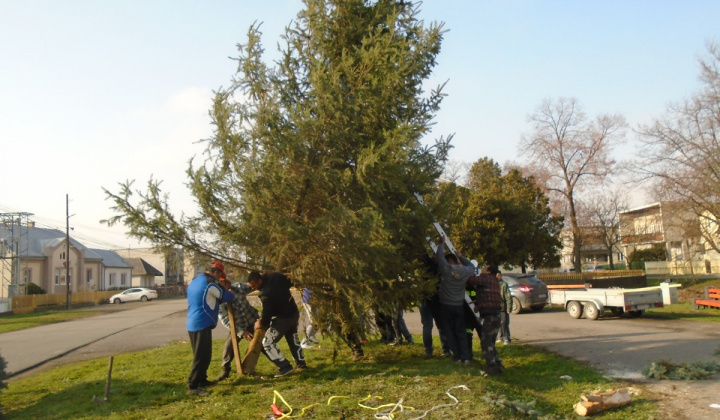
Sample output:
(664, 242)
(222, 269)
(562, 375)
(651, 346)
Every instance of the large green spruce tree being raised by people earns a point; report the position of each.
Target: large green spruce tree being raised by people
(314, 160)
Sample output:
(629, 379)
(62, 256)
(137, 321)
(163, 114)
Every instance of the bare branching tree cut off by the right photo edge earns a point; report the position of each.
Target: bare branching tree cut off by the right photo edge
(681, 151)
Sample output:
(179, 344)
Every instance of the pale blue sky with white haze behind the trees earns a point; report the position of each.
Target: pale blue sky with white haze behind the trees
(95, 92)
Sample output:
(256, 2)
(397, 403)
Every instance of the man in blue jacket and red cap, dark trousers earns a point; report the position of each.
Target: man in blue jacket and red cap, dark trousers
(204, 298)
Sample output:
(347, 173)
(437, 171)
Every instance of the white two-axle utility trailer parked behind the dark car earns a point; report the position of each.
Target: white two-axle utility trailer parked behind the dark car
(593, 302)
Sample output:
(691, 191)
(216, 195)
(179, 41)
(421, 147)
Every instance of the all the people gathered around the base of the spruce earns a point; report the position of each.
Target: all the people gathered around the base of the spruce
(211, 296)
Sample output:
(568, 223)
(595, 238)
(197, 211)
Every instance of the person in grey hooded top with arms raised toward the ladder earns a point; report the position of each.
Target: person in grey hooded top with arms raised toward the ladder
(454, 275)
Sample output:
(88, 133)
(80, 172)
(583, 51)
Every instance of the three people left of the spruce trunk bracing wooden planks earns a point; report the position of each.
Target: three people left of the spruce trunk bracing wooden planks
(211, 297)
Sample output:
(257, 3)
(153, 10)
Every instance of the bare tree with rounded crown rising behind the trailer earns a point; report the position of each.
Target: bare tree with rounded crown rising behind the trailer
(571, 151)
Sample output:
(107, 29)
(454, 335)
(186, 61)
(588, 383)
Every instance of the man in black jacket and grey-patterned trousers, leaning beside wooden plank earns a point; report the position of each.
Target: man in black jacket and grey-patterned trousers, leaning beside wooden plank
(280, 317)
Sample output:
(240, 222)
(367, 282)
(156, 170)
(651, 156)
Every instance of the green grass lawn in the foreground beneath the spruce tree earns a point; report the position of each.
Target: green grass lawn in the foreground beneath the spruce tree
(152, 384)
